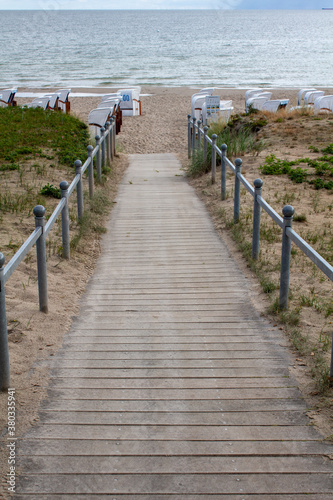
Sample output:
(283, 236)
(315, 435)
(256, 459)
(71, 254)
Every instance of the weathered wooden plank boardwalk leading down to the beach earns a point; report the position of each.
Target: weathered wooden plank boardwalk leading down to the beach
(169, 385)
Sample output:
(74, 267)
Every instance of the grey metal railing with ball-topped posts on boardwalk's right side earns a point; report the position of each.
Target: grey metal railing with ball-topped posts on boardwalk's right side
(197, 140)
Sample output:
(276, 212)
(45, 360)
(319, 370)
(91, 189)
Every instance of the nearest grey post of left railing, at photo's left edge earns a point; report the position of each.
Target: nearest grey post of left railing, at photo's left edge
(4, 351)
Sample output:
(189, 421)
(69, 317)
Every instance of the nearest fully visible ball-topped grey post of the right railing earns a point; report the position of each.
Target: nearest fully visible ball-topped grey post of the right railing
(288, 212)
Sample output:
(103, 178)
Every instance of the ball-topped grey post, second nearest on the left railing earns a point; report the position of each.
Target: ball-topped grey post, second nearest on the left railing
(39, 213)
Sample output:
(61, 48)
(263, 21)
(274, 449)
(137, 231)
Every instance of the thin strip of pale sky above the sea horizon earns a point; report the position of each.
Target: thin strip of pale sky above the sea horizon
(163, 4)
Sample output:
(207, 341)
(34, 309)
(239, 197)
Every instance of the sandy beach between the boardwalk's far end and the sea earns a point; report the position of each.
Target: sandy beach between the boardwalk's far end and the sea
(163, 124)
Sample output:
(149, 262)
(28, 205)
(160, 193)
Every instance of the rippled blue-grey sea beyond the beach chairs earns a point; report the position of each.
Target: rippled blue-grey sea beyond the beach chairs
(226, 48)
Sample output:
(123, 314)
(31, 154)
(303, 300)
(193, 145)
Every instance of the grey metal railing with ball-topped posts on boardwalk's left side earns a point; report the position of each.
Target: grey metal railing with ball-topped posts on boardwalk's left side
(104, 152)
